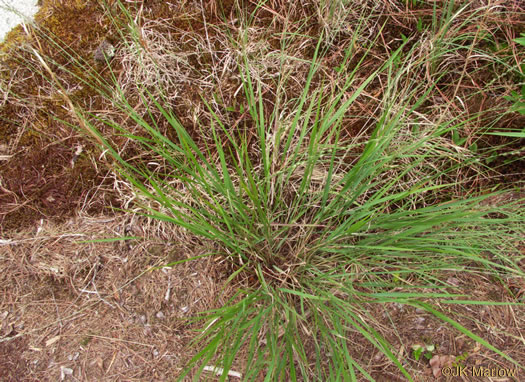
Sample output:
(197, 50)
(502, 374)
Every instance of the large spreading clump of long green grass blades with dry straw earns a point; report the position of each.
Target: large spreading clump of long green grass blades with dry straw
(317, 226)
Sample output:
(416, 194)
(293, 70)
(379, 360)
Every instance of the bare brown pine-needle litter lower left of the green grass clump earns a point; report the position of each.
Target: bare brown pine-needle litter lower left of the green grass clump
(99, 308)
